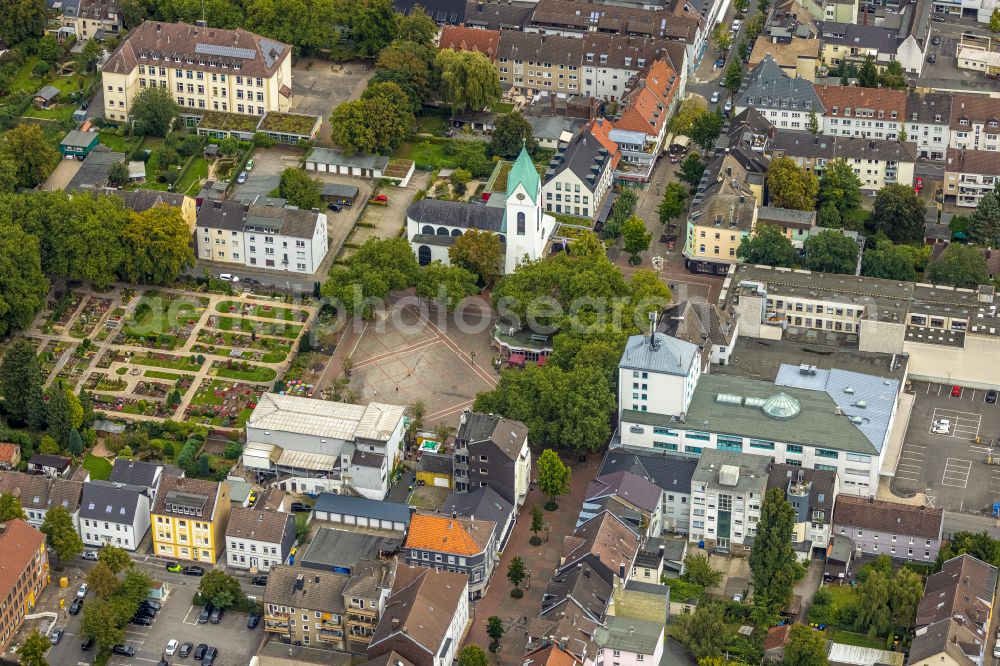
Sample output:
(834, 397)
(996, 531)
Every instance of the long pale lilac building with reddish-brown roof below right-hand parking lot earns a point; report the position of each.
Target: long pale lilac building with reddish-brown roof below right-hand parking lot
(877, 527)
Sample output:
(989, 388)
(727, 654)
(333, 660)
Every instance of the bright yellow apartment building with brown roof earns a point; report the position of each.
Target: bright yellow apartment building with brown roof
(189, 519)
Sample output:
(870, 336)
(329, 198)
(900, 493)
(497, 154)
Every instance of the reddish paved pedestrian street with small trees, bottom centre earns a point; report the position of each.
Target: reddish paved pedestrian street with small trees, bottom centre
(540, 562)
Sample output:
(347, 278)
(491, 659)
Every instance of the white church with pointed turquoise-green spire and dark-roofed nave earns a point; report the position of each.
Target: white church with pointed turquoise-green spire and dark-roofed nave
(518, 218)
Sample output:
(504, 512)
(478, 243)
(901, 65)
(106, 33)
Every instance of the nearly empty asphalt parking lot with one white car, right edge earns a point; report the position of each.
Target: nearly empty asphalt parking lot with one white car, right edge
(947, 462)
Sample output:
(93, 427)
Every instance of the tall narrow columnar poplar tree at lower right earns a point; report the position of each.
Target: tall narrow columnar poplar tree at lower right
(772, 560)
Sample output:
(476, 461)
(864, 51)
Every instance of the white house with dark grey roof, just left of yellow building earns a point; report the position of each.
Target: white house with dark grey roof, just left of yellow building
(114, 514)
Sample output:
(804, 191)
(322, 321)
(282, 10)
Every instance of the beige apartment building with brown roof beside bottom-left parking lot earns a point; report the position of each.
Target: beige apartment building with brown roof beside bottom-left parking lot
(306, 607)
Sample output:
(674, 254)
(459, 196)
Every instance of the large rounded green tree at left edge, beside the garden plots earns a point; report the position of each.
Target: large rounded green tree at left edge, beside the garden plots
(24, 286)
